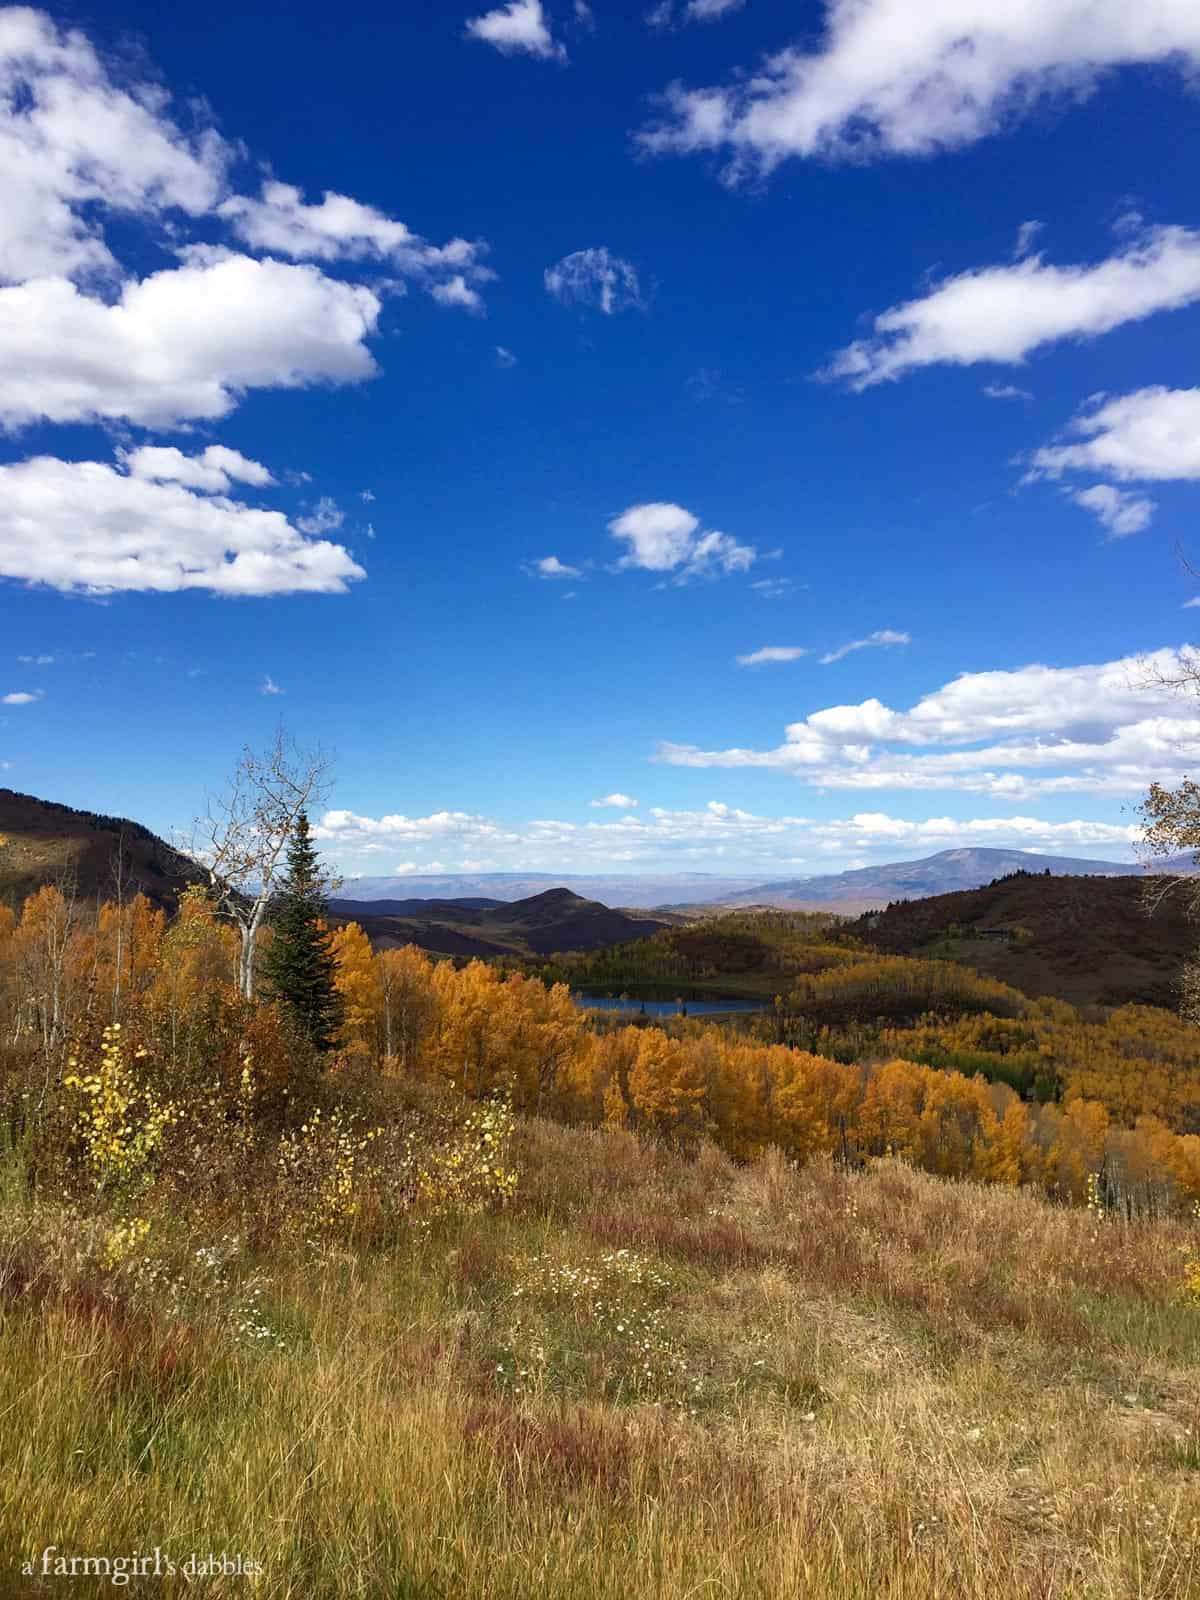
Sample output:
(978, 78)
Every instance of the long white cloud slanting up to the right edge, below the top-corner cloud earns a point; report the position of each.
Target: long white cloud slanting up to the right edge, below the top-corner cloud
(1004, 314)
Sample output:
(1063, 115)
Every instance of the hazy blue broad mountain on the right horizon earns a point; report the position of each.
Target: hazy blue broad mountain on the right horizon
(943, 874)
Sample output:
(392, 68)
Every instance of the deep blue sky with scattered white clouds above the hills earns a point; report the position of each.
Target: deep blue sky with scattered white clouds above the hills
(489, 382)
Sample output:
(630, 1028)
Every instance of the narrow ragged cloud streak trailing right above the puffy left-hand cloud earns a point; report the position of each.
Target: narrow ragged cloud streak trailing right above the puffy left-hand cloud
(345, 230)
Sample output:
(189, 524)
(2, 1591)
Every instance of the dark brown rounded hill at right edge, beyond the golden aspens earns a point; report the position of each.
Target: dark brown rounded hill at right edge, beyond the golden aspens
(1090, 942)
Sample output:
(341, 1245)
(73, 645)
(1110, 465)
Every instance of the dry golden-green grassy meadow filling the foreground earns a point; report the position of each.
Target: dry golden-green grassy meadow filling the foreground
(639, 1378)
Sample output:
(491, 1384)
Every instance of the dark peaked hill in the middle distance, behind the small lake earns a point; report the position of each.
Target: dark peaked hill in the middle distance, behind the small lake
(540, 926)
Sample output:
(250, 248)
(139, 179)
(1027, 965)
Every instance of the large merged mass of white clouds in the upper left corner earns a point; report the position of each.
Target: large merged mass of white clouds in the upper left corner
(86, 145)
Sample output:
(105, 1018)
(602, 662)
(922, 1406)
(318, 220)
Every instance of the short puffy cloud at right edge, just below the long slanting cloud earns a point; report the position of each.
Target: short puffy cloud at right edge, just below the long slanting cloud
(1150, 436)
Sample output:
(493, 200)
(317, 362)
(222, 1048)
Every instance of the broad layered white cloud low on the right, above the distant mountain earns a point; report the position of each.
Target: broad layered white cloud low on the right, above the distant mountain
(1105, 729)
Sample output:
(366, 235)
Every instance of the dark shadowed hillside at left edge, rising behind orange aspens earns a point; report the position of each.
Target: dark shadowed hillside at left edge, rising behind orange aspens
(42, 844)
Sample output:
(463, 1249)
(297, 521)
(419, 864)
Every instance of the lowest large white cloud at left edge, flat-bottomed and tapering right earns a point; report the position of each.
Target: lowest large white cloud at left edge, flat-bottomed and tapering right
(81, 526)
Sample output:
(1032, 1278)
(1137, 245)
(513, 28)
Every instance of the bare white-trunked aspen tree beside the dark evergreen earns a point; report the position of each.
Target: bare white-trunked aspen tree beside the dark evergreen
(242, 839)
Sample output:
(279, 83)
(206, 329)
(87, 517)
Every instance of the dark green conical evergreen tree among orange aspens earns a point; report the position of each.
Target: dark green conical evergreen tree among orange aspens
(300, 967)
